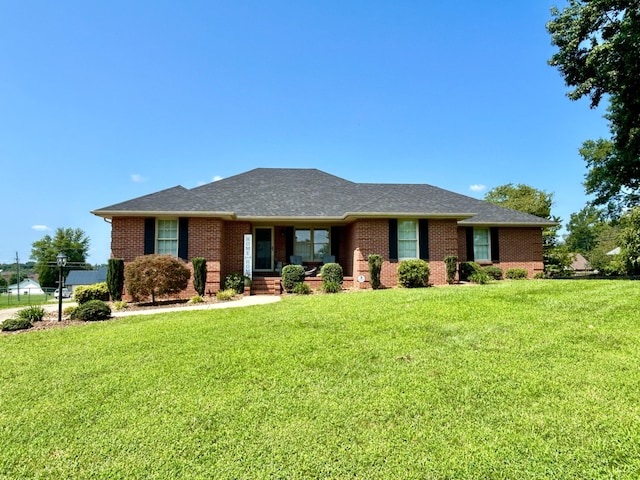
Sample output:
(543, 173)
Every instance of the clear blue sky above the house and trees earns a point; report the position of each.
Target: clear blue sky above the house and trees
(101, 102)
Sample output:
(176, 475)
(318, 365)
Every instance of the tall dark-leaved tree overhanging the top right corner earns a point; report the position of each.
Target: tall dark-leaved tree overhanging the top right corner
(599, 56)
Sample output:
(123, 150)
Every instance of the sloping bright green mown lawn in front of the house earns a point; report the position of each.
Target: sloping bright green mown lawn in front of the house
(530, 379)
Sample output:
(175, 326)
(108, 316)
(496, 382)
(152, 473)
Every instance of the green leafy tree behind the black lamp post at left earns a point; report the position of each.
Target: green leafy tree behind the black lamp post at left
(72, 242)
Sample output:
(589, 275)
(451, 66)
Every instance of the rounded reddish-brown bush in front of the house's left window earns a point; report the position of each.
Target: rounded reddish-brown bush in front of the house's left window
(155, 276)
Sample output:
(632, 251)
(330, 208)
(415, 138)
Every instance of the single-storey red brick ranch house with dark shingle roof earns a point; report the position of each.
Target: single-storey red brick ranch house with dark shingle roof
(255, 221)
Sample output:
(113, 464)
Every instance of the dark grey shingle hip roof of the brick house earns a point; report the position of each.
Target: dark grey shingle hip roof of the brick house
(280, 193)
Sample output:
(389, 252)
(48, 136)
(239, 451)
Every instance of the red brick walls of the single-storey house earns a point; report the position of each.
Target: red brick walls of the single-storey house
(220, 242)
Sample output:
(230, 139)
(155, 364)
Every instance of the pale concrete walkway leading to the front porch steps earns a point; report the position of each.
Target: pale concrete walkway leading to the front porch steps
(243, 302)
